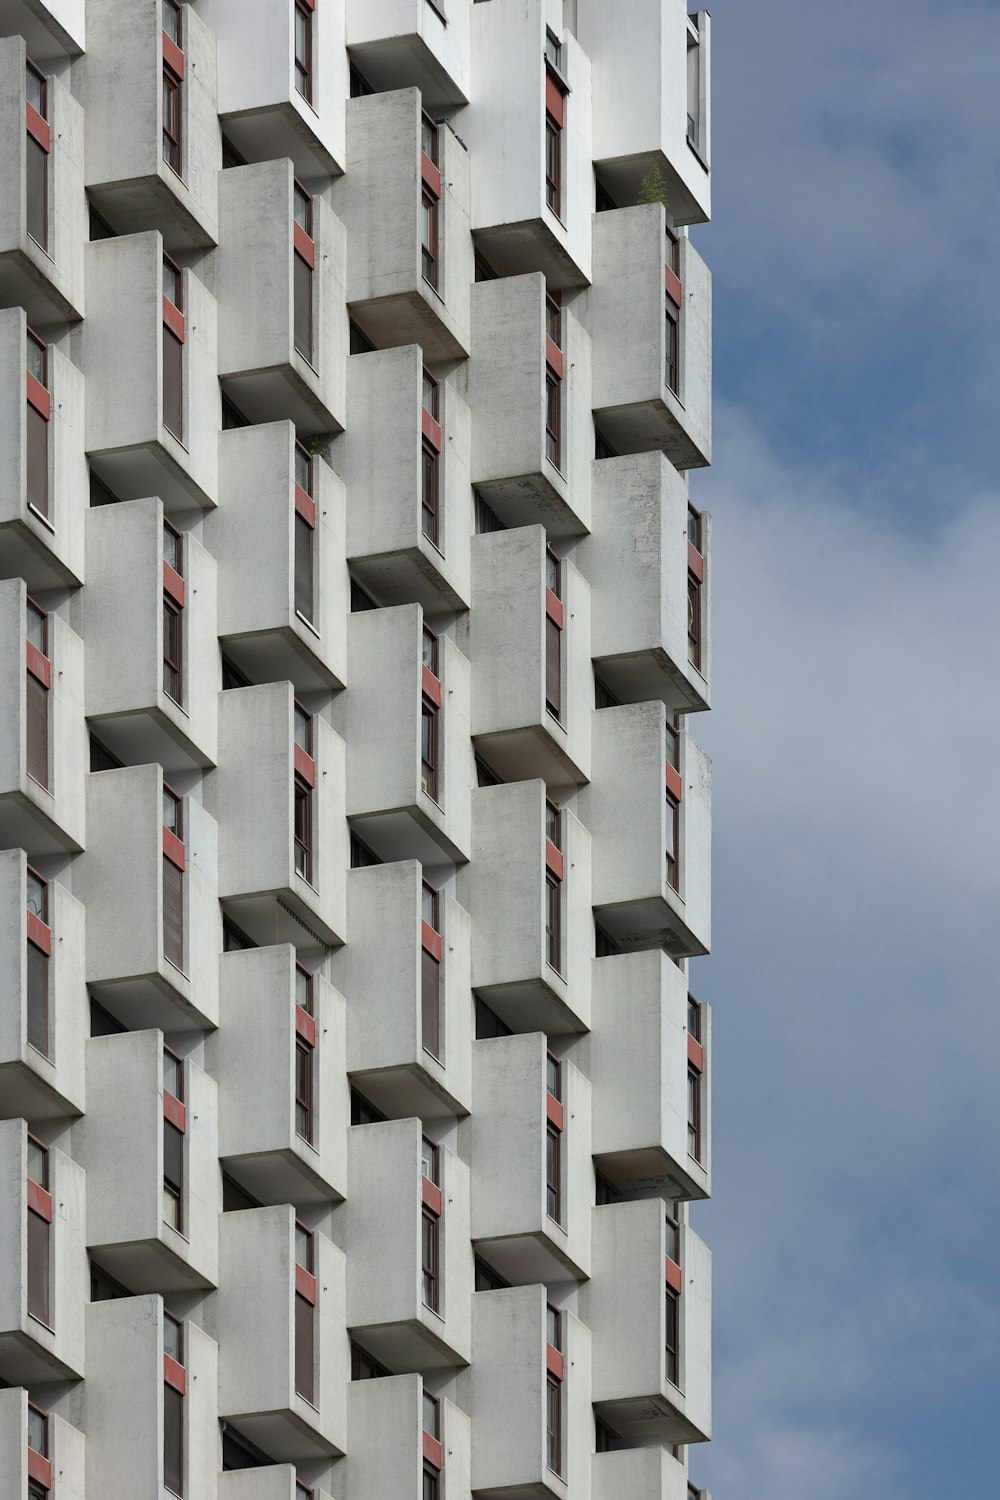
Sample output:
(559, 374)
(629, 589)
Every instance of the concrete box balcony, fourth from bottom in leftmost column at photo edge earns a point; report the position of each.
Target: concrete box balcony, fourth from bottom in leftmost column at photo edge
(41, 734)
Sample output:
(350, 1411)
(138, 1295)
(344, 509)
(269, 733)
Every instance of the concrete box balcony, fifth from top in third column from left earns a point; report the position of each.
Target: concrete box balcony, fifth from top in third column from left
(284, 1100)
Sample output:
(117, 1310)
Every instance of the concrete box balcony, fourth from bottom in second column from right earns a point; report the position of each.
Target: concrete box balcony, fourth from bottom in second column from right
(530, 647)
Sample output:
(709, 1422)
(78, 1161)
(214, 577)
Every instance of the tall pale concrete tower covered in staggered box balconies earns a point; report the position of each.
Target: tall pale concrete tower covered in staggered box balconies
(355, 836)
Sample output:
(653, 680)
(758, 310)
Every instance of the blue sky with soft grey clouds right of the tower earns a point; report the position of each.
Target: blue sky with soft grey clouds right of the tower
(857, 505)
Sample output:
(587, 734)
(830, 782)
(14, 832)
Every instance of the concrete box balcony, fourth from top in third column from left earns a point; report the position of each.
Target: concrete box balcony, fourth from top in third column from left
(283, 833)
